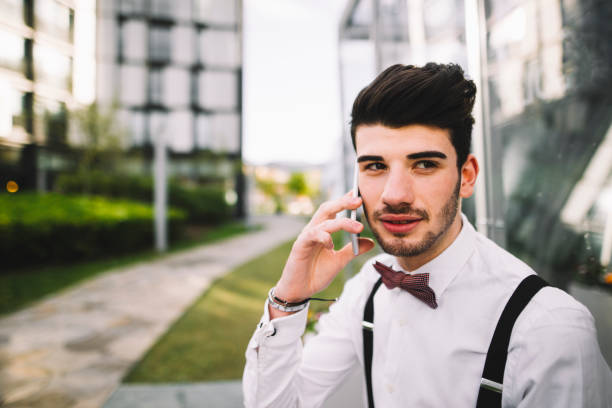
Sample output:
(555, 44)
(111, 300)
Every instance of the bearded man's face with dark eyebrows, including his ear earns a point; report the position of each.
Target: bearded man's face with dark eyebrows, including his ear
(410, 185)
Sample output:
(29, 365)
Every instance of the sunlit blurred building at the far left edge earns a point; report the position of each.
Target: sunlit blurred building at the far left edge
(37, 83)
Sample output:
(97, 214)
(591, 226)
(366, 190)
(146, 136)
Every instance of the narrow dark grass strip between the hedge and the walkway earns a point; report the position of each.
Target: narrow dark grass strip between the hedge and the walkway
(23, 286)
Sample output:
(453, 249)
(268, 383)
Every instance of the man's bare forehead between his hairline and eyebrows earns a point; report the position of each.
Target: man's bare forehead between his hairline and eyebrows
(382, 140)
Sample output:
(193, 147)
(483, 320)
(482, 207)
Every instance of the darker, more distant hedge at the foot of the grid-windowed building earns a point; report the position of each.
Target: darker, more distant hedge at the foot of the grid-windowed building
(202, 204)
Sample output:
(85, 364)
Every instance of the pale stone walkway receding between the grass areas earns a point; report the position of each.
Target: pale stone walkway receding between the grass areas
(71, 350)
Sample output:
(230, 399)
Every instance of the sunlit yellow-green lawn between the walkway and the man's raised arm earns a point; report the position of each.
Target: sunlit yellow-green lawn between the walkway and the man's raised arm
(208, 342)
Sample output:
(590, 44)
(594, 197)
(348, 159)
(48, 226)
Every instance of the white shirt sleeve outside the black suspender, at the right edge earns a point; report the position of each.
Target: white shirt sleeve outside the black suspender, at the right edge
(557, 362)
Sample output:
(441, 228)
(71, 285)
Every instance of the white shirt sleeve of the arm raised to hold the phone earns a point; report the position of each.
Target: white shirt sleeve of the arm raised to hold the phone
(279, 372)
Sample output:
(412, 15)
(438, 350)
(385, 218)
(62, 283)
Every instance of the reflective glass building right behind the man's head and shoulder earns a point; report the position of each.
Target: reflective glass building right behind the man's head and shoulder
(543, 133)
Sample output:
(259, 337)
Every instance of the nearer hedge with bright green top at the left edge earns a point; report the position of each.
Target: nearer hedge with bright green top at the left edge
(41, 228)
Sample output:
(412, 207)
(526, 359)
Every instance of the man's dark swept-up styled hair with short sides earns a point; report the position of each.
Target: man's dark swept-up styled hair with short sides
(435, 95)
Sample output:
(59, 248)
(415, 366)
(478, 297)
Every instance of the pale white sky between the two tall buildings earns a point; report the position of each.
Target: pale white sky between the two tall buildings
(291, 99)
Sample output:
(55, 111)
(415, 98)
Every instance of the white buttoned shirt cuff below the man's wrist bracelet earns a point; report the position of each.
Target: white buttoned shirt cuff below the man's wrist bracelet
(280, 331)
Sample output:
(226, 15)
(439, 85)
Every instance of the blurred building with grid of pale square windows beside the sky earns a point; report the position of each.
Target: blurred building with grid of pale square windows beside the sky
(174, 68)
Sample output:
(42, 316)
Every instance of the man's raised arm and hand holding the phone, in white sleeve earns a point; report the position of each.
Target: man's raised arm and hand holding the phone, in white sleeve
(276, 375)
